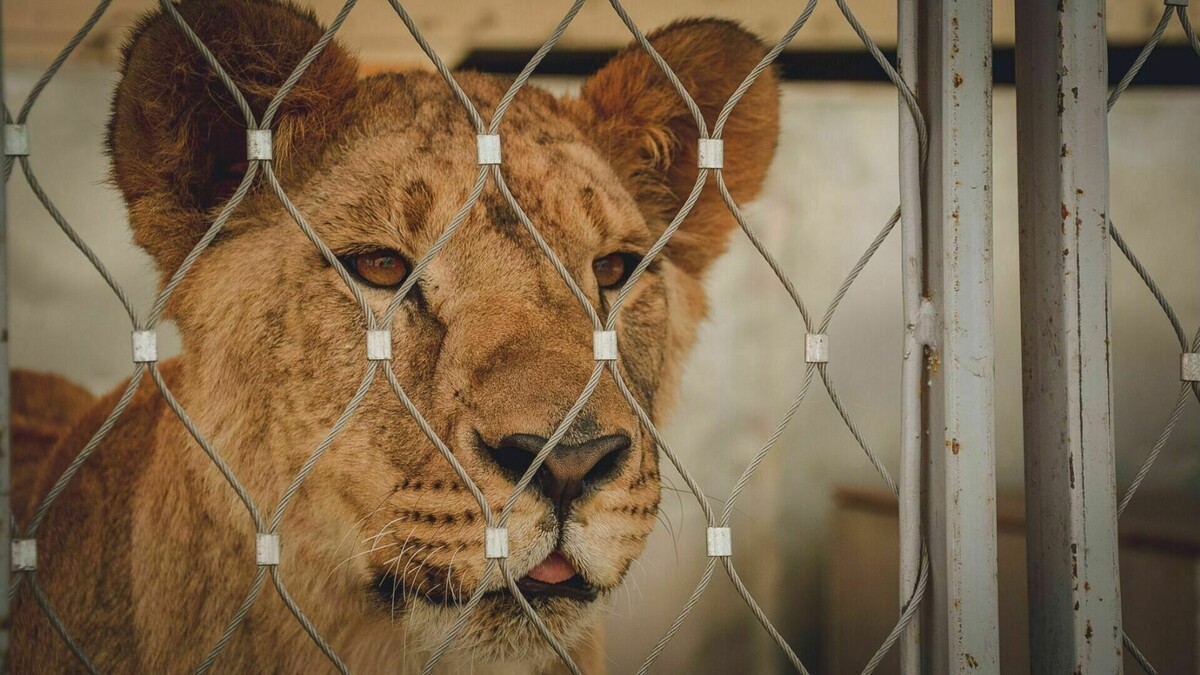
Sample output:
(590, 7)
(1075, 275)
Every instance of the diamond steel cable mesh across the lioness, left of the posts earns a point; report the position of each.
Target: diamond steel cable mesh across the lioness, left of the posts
(268, 523)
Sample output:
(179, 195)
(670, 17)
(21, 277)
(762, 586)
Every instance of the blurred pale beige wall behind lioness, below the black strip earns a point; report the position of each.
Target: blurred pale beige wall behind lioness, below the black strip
(832, 189)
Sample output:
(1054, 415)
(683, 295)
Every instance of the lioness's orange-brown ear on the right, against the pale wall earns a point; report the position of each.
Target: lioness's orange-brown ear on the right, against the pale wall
(644, 128)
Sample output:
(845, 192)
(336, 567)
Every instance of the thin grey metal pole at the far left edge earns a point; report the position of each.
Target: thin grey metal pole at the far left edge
(5, 413)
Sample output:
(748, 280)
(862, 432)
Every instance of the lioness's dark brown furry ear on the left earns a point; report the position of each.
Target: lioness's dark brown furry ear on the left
(178, 140)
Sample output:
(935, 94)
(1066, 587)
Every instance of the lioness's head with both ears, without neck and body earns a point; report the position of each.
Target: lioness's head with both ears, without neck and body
(491, 347)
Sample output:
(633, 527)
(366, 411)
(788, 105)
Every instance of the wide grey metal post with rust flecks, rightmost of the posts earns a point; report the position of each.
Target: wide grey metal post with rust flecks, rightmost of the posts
(1070, 480)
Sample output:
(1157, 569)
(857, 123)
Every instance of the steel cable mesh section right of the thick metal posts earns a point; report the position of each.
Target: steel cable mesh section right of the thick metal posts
(1190, 356)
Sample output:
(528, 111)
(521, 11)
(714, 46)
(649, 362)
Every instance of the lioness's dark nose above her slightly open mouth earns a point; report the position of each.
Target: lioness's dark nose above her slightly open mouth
(569, 470)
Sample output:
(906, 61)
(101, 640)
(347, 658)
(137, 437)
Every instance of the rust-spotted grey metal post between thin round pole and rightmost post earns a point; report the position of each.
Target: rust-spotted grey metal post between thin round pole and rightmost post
(955, 55)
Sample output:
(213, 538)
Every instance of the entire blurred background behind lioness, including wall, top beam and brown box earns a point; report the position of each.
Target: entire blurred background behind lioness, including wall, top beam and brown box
(817, 531)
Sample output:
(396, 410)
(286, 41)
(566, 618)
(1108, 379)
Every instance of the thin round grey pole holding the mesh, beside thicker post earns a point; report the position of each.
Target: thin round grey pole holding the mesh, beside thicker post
(919, 333)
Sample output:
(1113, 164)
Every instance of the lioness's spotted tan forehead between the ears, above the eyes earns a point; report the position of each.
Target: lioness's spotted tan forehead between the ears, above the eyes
(411, 166)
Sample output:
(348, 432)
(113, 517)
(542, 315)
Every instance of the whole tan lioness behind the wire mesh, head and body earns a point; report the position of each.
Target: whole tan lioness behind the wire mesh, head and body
(149, 553)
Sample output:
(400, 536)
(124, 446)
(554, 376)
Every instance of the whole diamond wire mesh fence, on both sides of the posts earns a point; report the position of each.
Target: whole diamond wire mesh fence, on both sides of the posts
(604, 325)
